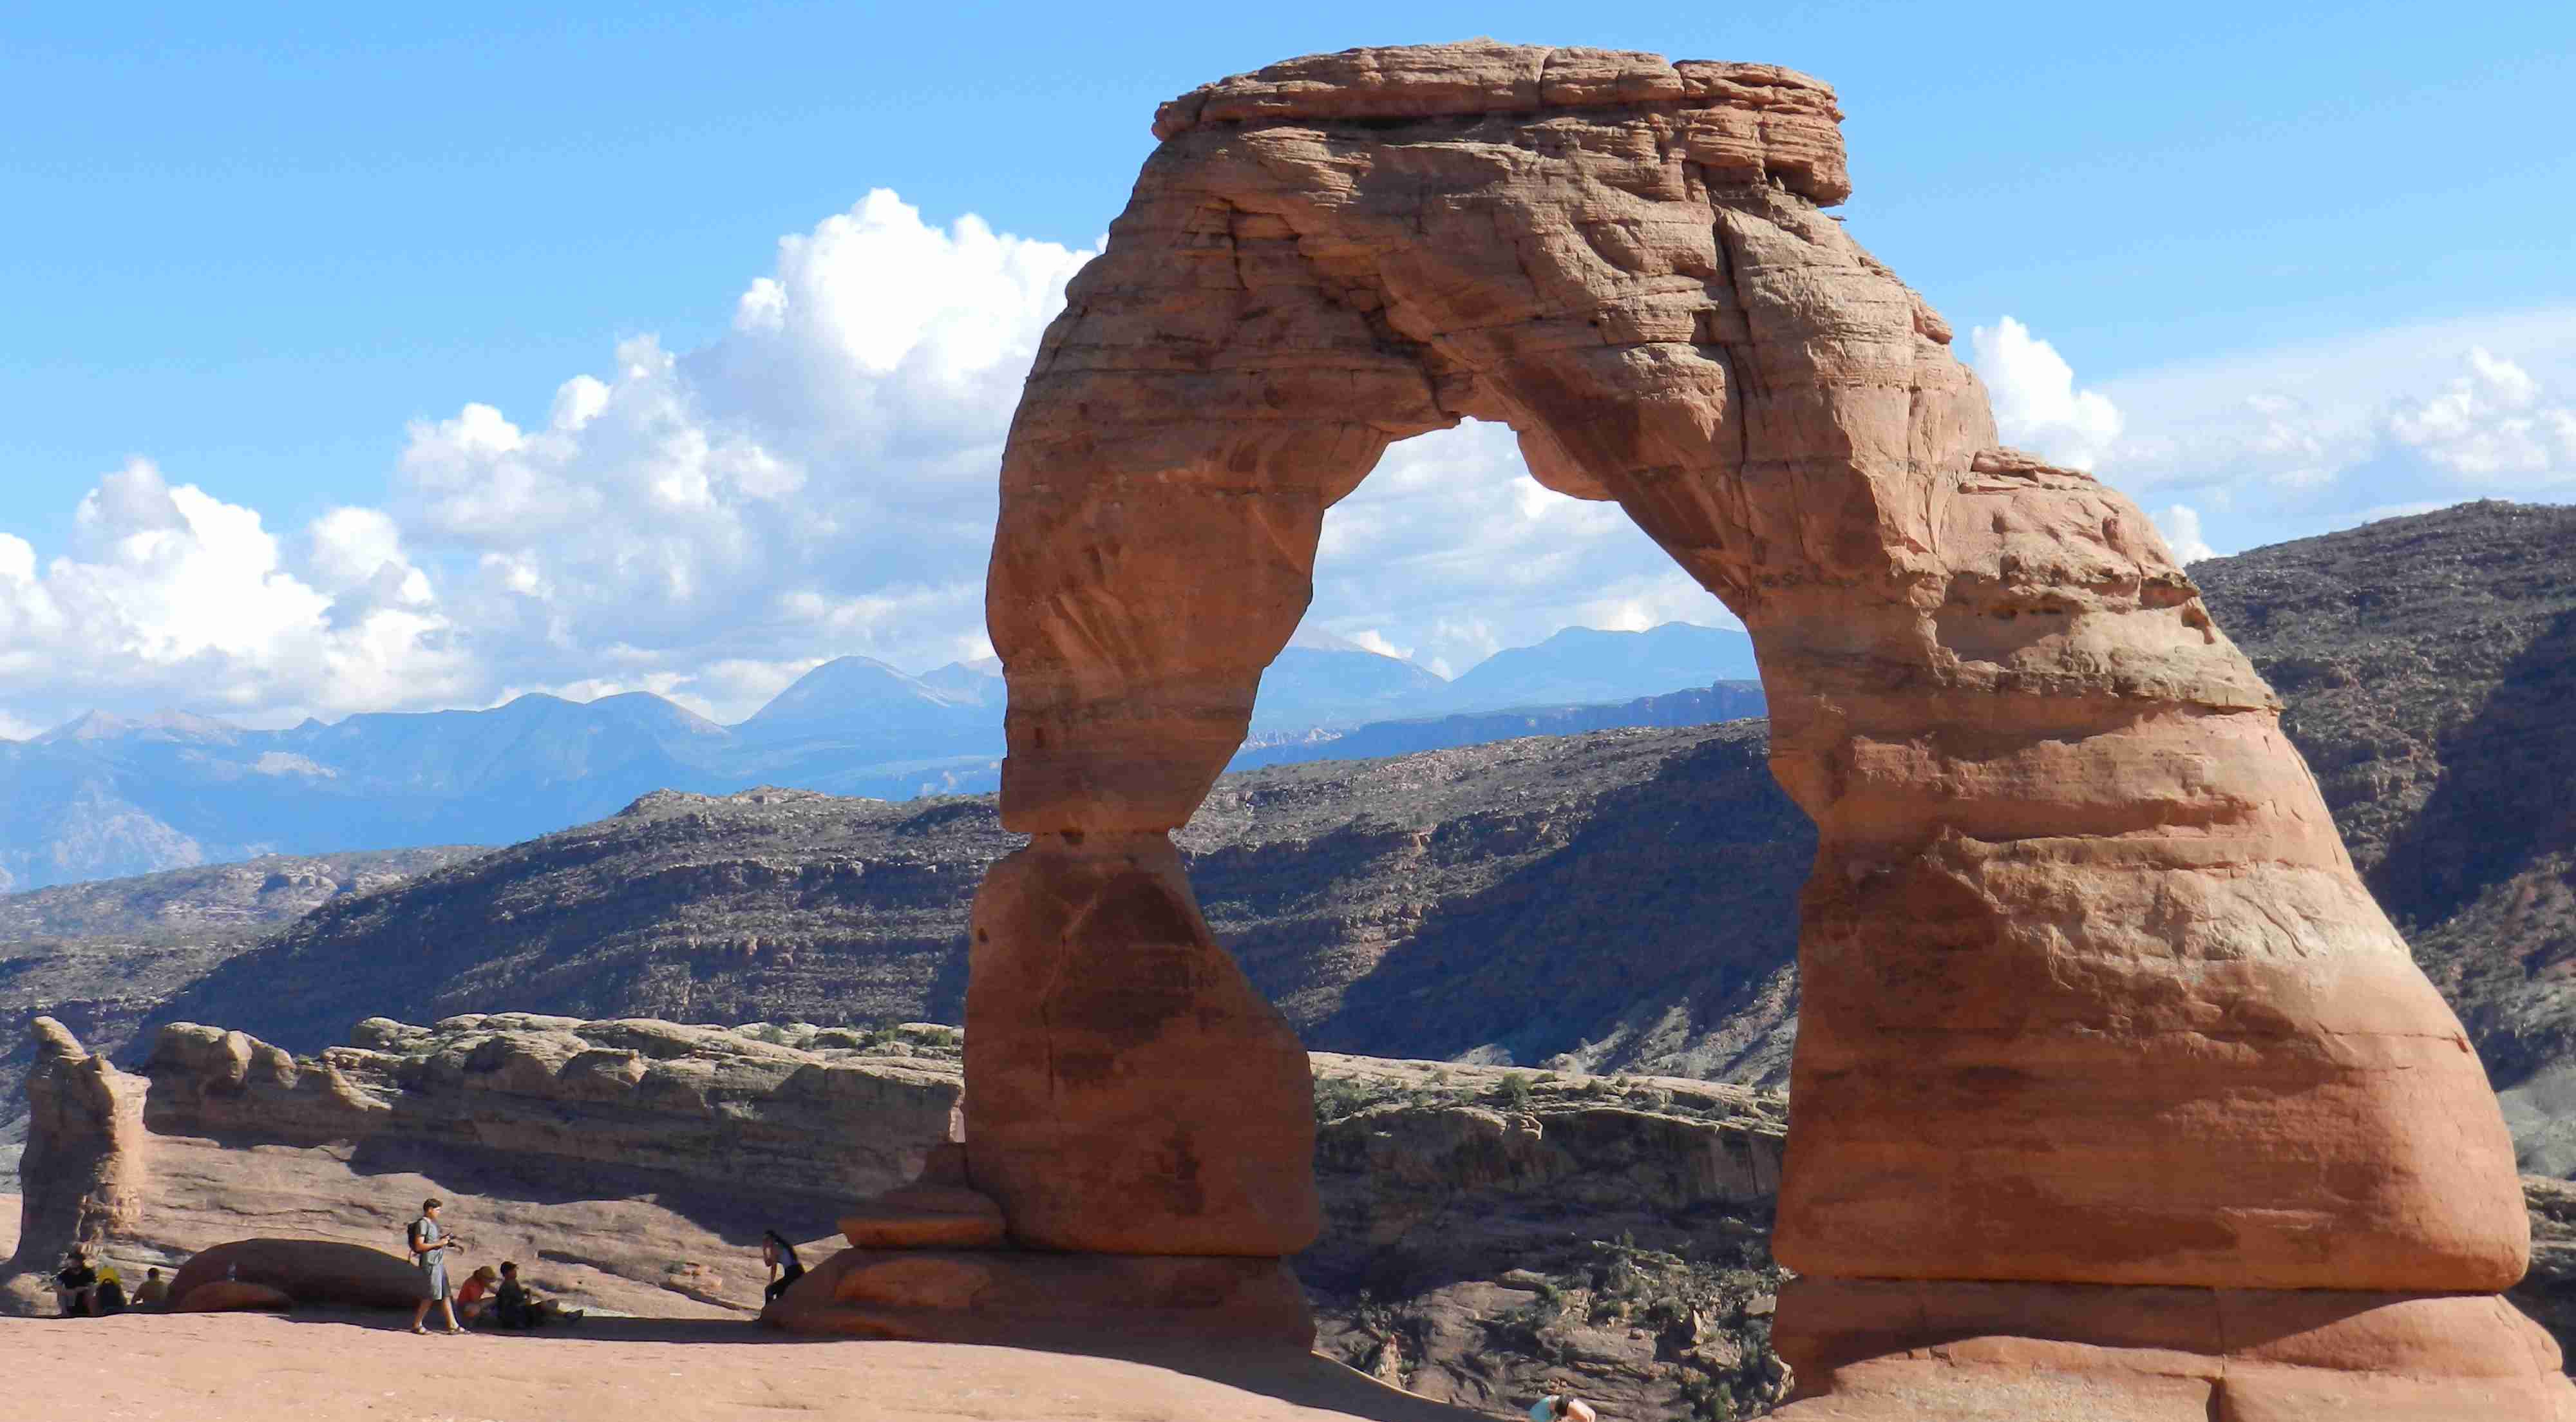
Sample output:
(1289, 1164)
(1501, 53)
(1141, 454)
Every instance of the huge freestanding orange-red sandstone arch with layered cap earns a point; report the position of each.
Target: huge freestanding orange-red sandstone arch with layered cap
(2093, 993)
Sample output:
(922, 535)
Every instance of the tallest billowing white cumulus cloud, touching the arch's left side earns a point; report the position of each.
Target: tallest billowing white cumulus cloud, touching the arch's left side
(820, 480)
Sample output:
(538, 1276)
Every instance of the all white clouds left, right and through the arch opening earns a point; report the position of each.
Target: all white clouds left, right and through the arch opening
(823, 478)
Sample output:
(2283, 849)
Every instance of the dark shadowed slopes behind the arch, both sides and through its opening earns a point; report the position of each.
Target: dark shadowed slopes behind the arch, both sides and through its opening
(1619, 900)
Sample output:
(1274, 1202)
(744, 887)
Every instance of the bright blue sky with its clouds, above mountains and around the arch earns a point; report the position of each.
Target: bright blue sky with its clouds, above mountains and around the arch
(2315, 264)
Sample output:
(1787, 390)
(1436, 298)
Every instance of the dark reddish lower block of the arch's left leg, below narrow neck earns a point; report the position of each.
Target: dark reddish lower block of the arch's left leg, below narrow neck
(1101, 1029)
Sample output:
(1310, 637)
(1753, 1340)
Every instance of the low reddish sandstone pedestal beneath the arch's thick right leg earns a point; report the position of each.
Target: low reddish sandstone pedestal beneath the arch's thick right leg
(1897, 1351)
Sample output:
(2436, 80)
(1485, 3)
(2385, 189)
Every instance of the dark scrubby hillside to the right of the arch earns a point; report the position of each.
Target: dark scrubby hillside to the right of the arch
(2428, 668)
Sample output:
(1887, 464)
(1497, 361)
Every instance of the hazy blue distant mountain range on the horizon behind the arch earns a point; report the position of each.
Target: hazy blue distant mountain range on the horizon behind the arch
(112, 797)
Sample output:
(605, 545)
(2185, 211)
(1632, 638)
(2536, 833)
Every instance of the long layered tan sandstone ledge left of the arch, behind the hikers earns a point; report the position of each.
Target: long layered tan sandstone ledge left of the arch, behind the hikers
(625, 1166)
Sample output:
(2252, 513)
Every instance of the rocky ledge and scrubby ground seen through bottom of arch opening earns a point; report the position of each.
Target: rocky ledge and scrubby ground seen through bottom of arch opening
(1493, 1235)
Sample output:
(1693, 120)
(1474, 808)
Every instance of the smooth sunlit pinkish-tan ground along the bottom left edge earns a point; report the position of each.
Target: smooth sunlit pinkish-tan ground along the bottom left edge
(370, 1367)
